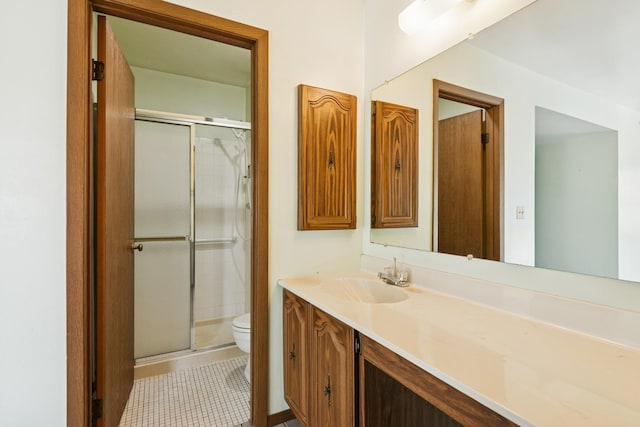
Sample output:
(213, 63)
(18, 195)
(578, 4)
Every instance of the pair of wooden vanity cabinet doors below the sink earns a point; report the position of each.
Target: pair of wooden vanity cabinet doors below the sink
(319, 368)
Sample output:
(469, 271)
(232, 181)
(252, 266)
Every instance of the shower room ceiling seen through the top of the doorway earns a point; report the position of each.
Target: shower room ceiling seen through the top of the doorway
(155, 48)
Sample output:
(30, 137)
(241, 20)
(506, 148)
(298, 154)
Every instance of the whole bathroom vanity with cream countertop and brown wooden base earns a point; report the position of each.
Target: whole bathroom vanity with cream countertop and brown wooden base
(363, 353)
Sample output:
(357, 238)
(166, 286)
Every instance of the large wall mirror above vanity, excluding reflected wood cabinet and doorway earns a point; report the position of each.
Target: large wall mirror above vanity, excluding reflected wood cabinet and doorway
(568, 74)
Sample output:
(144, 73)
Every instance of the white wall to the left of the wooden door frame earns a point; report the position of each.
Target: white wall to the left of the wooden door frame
(33, 213)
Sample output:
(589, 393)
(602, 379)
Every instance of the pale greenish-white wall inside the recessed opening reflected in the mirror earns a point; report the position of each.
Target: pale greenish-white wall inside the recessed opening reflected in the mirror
(576, 212)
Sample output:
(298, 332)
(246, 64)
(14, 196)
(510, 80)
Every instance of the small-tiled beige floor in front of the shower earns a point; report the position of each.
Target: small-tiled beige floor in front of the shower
(215, 395)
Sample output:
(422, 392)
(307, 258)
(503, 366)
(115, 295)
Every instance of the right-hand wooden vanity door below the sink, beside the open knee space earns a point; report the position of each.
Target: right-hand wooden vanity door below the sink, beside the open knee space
(332, 372)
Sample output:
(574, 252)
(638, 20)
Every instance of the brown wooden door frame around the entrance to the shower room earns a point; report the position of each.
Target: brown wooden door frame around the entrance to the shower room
(80, 194)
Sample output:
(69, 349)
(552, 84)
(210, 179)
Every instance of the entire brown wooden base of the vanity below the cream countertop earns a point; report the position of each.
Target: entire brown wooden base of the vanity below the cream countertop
(327, 383)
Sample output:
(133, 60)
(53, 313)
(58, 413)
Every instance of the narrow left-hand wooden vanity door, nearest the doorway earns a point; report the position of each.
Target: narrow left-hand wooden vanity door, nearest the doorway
(296, 359)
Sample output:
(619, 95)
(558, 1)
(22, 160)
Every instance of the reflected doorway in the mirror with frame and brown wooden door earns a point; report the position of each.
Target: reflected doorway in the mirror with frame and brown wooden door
(467, 197)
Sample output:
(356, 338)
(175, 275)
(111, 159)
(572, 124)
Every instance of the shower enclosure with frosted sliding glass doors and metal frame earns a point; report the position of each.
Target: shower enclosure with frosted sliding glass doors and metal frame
(192, 216)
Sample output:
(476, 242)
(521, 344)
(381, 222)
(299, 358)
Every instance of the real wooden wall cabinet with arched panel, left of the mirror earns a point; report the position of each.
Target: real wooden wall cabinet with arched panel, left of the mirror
(326, 159)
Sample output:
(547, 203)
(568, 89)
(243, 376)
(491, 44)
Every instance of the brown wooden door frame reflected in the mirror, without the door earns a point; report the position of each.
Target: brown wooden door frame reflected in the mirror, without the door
(494, 177)
